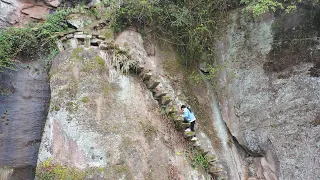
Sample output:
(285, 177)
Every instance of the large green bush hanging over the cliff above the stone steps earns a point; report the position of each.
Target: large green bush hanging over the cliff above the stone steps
(190, 25)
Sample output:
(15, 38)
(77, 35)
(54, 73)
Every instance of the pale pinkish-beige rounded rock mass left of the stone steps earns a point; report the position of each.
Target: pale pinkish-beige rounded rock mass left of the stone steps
(100, 117)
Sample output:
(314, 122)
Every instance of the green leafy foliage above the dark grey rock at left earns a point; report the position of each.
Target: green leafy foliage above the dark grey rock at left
(33, 39)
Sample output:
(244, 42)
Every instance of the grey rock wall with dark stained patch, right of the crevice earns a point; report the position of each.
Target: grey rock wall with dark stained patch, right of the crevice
(271, 94)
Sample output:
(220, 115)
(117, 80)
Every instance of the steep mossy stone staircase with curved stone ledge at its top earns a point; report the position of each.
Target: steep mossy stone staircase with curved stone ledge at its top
(160, 91)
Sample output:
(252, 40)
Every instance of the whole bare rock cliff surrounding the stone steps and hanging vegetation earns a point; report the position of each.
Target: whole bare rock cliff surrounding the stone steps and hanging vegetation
(106, 120)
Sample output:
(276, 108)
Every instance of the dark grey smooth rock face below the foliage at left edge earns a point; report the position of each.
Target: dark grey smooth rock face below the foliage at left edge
(24, 103)
